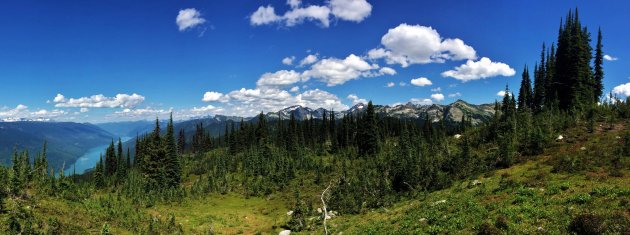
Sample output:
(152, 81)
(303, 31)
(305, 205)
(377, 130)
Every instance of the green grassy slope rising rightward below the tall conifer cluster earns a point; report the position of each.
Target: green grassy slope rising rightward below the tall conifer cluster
(532, 199)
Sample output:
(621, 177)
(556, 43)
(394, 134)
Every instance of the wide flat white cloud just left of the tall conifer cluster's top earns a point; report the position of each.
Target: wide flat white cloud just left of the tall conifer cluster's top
(483, 68)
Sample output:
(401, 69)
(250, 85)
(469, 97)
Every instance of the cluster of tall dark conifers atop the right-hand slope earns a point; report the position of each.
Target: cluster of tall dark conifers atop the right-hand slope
(569, 78)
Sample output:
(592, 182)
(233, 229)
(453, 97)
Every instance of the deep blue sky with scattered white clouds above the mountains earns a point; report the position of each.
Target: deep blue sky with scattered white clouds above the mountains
(144, 63)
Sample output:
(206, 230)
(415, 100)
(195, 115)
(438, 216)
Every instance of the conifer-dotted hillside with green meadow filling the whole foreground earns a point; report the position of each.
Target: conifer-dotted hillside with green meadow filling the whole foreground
(555, 159)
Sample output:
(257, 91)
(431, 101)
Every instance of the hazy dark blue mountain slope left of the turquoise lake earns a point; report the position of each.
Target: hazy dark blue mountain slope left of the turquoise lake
(67, 141)
